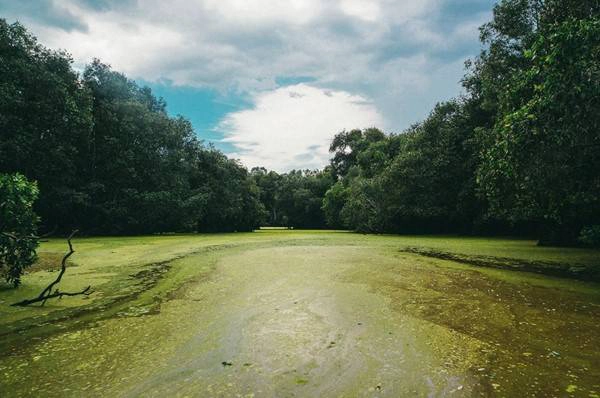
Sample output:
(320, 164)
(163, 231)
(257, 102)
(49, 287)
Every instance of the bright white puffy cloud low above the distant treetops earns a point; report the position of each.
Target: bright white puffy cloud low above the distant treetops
(292, 127)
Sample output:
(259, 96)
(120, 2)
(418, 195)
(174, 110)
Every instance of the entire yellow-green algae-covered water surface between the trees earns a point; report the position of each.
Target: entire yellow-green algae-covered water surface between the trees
(302, 313)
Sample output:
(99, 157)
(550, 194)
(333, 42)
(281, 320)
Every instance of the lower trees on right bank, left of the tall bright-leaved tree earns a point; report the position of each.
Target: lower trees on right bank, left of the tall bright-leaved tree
(419, 181)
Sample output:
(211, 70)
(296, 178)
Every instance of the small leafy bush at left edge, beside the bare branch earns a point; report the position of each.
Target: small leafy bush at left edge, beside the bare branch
(18, 225)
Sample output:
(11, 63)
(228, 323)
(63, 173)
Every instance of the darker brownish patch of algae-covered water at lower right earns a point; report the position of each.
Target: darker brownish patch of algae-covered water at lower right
(539, 334)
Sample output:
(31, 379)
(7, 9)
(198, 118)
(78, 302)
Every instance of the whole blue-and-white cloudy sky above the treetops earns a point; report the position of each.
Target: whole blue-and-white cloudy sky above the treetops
(271, 81)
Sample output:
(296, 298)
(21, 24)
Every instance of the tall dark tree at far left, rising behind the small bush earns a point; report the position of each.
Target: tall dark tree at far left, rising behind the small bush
(45, 121)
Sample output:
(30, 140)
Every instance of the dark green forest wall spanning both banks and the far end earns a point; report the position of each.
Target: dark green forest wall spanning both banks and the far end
(517, 153)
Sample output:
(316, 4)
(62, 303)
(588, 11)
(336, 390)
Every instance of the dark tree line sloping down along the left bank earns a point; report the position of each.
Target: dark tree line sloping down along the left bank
(106, 156)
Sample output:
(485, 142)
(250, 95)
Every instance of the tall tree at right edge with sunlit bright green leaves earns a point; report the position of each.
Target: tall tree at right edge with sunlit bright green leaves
(543, 161)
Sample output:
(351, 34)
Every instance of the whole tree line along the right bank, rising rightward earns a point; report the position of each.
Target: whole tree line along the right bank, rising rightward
(518, 153)
